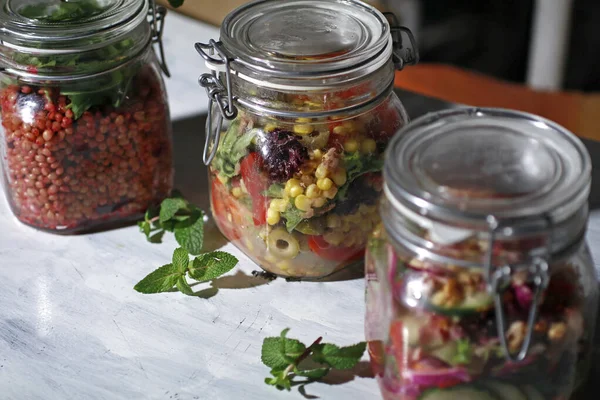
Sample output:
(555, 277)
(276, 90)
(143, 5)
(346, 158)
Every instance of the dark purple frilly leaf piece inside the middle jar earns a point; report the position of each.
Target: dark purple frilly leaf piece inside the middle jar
(282, 153)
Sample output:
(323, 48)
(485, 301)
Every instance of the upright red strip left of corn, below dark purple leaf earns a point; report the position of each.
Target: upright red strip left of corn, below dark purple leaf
(256, 183)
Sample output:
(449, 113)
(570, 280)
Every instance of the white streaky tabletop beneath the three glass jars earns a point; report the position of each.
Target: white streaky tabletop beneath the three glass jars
(72, 327)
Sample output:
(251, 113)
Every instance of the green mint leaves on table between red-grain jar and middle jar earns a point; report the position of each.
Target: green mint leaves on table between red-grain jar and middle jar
(186, 221)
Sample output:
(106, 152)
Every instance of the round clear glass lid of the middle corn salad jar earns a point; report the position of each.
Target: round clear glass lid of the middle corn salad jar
(305, 36)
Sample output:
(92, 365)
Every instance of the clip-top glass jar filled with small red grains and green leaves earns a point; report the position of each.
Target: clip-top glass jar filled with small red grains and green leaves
(86, 139)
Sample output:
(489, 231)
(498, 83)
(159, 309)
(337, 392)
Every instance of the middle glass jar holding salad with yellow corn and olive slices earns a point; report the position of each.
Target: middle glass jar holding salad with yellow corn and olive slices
(308, 86)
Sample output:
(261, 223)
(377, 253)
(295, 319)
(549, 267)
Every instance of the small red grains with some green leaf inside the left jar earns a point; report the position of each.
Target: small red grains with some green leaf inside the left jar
(76, 160)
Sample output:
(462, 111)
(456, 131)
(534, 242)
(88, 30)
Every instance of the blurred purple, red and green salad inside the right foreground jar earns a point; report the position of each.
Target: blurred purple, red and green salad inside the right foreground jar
(433, 330)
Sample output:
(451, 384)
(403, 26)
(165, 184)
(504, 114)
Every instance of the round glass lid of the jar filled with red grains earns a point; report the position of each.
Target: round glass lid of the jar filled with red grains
(56, 24)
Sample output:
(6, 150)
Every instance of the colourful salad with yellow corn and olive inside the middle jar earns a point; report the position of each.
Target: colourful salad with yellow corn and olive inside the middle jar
(300, 197)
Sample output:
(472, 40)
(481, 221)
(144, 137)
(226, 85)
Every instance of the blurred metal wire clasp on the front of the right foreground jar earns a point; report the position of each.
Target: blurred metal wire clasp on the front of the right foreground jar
(499, 279)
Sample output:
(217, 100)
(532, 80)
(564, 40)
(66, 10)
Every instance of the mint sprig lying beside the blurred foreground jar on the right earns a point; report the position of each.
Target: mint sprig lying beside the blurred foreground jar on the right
(290, 359)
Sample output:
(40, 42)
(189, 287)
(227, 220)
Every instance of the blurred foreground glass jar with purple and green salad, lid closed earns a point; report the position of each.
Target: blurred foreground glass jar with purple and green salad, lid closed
(479, 282)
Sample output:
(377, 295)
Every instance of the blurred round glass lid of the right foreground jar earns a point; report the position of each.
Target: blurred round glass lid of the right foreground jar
(462, 167)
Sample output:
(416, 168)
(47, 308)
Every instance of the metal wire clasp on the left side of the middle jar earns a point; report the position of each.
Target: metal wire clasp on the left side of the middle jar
(219, 95)
